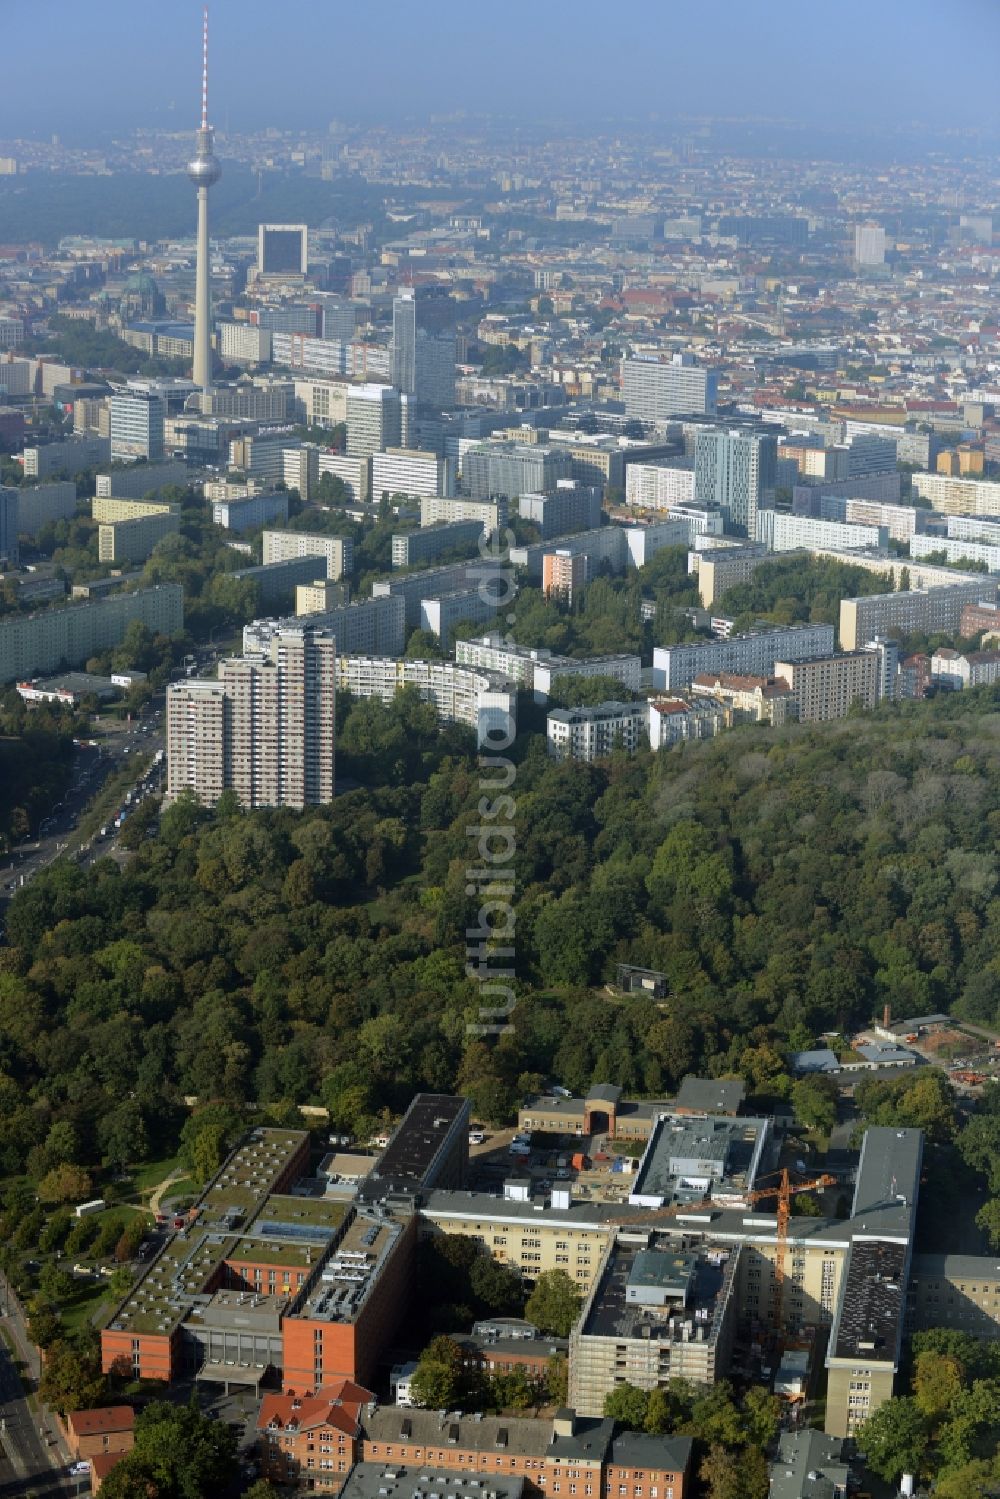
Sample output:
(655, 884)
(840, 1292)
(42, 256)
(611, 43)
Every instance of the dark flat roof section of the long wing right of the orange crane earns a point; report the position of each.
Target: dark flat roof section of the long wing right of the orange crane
(870, 1315)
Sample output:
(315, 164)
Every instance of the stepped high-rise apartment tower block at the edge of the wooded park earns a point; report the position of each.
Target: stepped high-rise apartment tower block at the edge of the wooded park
(265, 729)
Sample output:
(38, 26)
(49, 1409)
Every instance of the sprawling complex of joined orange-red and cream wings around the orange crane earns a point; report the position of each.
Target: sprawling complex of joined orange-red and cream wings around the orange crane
(278, 1269)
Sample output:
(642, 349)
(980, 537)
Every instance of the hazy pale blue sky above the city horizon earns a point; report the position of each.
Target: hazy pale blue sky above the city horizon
(304, 62)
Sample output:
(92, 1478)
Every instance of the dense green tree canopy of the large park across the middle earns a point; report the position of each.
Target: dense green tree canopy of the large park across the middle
(320, 957)
